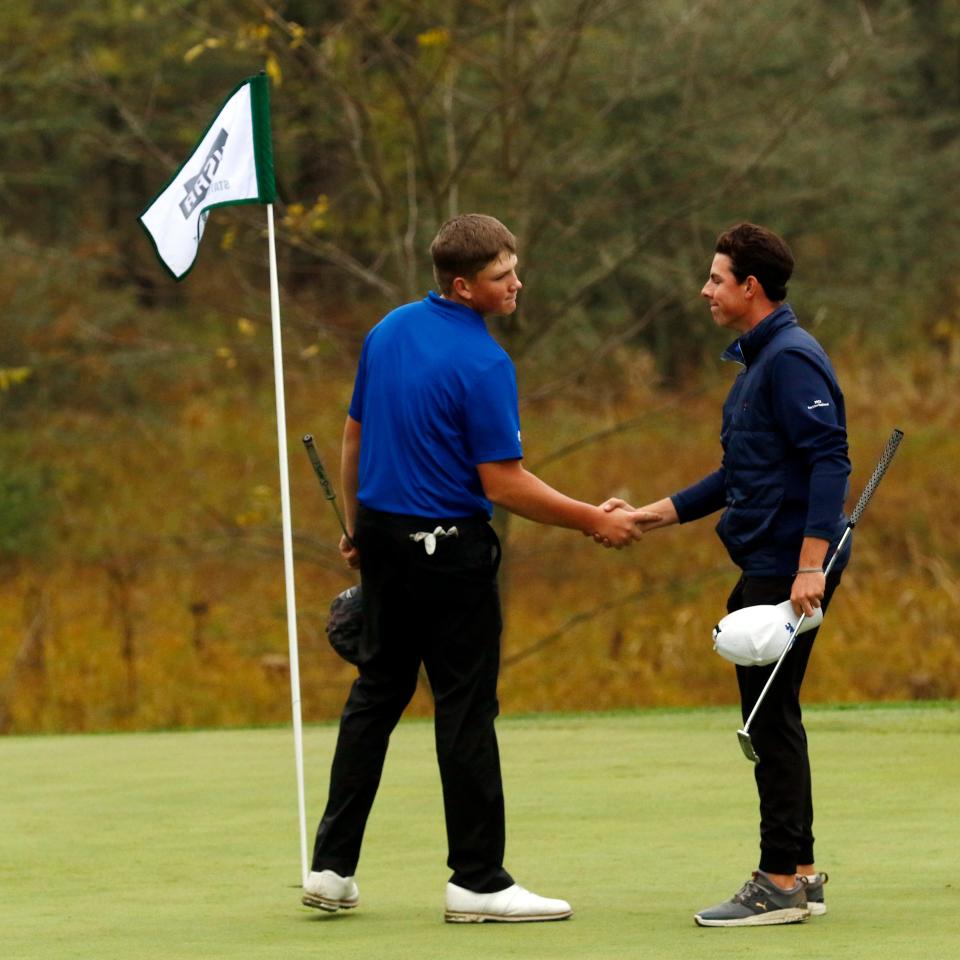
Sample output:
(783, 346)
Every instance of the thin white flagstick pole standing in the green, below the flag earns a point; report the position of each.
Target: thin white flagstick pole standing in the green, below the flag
(287, 542)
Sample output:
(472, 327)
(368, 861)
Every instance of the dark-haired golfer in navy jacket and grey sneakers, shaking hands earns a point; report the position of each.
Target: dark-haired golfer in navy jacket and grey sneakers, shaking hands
(781, 485)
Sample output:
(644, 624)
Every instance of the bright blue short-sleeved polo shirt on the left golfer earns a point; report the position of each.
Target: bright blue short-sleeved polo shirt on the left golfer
(435, 395)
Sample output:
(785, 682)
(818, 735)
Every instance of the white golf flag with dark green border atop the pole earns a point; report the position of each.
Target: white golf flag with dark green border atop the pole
(232, 163)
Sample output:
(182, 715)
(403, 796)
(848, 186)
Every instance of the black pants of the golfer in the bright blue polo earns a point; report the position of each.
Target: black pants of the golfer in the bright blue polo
(442, 610)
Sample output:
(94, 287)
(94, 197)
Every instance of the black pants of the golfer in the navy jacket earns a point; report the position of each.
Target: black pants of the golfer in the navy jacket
(778, 736)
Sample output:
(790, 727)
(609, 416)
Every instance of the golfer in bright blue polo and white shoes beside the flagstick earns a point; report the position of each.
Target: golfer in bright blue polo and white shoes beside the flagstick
(432, 440)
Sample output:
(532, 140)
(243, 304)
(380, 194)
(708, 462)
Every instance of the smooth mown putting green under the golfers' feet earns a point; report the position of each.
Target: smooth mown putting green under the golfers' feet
(185, 845)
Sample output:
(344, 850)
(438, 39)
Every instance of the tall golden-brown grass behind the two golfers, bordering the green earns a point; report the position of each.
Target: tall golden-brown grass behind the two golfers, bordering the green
(164, 606)
